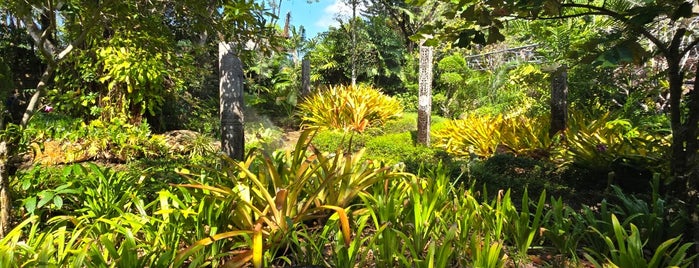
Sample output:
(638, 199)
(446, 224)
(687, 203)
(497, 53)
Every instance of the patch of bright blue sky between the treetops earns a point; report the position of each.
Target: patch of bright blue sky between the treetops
(316, 17)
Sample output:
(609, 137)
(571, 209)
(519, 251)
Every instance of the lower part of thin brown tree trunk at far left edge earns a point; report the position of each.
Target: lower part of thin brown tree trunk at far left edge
(5, 199)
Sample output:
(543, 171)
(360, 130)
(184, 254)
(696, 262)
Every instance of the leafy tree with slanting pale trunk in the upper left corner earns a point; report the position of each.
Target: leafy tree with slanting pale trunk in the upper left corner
(116, 59)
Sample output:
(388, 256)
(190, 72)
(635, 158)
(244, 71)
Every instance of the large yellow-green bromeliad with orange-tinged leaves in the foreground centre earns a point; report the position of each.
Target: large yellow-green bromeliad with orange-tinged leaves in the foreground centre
(267, 197)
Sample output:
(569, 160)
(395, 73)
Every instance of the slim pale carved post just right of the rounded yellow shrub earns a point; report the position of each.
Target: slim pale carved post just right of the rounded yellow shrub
(424, 109)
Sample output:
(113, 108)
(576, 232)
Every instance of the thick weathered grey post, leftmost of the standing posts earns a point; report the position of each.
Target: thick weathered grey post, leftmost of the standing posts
(231, 101)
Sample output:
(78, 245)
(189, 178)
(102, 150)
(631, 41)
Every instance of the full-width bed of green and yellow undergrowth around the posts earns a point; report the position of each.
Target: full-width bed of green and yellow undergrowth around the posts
(491, 192)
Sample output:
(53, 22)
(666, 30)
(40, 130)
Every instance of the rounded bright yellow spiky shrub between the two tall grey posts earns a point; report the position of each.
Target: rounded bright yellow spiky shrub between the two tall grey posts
(349, 108)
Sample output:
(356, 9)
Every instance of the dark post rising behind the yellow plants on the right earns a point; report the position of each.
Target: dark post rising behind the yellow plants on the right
(559, 100)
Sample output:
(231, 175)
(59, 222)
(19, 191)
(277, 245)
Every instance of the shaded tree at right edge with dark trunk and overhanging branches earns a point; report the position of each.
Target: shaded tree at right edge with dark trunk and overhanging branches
(635, 40)
